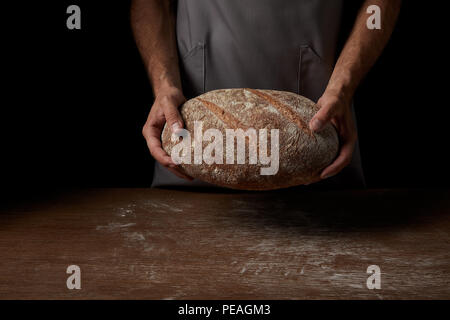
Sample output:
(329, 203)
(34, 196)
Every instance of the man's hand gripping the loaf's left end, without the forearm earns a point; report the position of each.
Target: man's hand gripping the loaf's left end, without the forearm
(164, 109)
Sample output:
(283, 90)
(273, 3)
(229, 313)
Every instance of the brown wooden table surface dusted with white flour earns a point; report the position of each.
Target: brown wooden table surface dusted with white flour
(172, 244)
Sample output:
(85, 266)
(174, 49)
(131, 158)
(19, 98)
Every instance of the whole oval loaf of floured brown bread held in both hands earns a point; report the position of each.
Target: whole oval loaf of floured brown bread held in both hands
(278, 121)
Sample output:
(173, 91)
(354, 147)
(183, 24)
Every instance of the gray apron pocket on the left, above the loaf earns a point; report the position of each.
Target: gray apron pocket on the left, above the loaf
(192, 71)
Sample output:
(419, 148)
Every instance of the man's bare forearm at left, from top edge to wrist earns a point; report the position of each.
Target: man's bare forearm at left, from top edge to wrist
(153, 25)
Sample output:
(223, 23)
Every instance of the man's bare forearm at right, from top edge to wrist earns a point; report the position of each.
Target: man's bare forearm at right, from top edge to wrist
(363, 47)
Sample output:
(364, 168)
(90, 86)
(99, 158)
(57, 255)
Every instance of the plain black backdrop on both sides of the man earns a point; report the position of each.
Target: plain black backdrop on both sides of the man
(74, 101)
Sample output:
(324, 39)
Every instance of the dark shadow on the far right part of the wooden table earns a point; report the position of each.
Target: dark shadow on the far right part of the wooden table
(341, 211)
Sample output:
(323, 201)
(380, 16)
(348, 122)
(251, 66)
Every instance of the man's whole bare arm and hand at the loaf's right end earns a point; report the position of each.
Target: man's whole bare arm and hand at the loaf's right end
(360, 52)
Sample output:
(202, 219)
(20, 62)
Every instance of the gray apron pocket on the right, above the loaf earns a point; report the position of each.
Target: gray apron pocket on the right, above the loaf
(314, 74)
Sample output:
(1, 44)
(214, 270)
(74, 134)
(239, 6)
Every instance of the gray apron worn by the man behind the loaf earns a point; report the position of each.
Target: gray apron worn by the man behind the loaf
(287, 45)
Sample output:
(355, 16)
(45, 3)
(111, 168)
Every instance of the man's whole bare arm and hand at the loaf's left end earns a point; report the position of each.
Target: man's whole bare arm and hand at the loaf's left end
(153, 24)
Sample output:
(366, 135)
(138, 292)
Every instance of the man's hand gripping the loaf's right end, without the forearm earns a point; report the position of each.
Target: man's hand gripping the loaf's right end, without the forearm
(335, 108)
